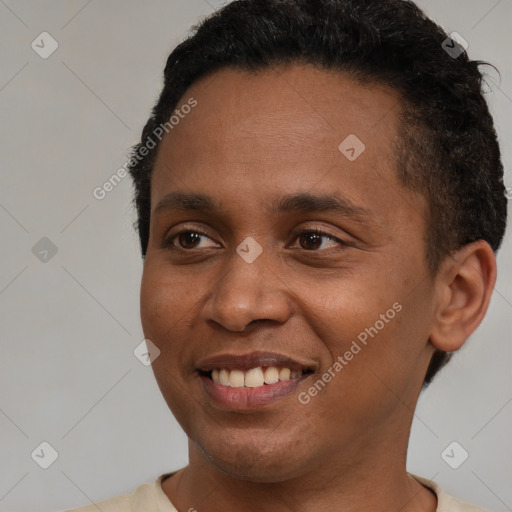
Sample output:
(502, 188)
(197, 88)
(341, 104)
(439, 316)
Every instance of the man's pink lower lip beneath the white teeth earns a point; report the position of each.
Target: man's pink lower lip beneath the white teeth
(244, 399)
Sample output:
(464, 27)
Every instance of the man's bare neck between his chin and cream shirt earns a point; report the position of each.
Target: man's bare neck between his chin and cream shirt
(371, 477)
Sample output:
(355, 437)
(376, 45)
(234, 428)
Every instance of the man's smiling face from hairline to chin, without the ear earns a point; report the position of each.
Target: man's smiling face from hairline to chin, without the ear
(285, 281)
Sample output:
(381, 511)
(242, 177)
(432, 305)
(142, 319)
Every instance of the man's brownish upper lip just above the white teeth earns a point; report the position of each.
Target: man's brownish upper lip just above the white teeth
(253, 360)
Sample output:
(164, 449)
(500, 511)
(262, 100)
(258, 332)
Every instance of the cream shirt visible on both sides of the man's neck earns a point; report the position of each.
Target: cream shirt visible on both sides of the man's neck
(150, 497)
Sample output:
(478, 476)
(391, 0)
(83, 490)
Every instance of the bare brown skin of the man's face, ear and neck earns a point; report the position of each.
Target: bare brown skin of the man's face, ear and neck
(252, 139)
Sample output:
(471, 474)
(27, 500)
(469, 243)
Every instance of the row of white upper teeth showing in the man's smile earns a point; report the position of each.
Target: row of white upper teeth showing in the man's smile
(253, 378)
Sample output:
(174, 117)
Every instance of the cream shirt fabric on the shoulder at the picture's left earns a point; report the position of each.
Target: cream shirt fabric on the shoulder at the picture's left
(147, 496)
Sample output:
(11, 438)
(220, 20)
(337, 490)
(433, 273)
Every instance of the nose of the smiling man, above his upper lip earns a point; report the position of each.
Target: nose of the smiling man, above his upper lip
(246, 293)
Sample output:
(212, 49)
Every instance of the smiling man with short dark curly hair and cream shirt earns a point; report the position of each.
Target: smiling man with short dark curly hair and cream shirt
(320, 198)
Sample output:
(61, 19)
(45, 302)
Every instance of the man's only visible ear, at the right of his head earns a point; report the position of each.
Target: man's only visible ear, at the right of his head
(464, 283)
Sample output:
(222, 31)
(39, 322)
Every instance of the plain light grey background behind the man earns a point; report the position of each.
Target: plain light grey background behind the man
(69, 325)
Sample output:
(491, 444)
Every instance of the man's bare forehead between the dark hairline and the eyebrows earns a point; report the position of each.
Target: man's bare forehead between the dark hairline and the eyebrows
(283, 129)
